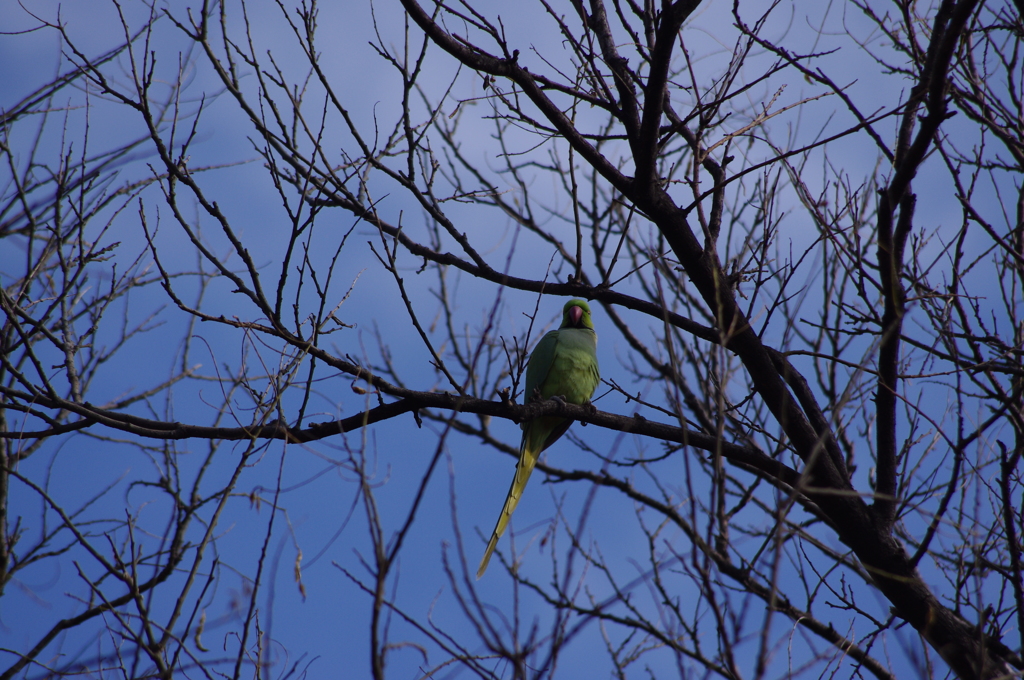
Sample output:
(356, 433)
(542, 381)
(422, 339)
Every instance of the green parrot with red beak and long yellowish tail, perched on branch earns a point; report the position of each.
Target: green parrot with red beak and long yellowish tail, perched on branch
(564, 366)
